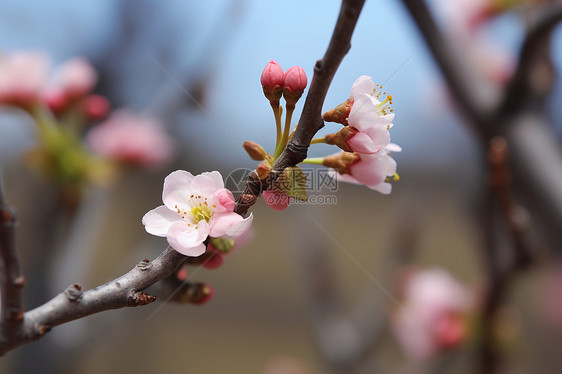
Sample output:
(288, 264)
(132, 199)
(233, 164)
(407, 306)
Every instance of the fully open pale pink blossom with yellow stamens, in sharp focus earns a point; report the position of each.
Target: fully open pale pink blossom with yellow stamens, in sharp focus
(195, 207)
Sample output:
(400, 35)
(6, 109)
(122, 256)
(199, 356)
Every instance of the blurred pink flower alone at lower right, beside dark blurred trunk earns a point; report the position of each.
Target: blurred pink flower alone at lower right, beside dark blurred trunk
(431, 316)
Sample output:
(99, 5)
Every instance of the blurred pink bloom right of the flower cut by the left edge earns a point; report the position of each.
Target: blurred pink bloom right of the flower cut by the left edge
(75, 79)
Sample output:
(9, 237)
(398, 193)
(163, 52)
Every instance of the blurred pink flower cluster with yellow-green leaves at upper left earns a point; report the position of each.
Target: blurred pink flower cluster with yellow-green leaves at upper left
(79, 139)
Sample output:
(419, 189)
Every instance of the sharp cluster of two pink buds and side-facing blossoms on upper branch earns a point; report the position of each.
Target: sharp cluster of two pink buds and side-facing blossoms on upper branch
(364, 140)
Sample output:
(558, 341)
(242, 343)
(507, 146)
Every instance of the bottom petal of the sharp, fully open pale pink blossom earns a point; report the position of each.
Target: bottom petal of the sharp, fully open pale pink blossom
(188, 240)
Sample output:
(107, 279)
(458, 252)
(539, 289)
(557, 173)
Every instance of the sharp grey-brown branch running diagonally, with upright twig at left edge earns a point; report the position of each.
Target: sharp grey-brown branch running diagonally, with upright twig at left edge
(126, 291)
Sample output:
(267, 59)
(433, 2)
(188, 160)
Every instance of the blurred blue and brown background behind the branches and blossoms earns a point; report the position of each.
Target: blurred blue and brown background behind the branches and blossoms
(196, 67)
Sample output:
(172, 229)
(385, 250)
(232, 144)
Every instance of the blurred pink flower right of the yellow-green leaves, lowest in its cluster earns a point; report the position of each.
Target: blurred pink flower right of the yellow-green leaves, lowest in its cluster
(130, 138)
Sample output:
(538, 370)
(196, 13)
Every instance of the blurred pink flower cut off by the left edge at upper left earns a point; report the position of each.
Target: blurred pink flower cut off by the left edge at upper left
(23, 76)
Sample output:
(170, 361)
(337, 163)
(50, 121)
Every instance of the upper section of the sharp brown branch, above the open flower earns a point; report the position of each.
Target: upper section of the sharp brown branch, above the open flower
(311, 118)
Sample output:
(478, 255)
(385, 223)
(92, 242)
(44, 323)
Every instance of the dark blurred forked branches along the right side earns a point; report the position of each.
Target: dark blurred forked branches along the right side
(534, 152)
